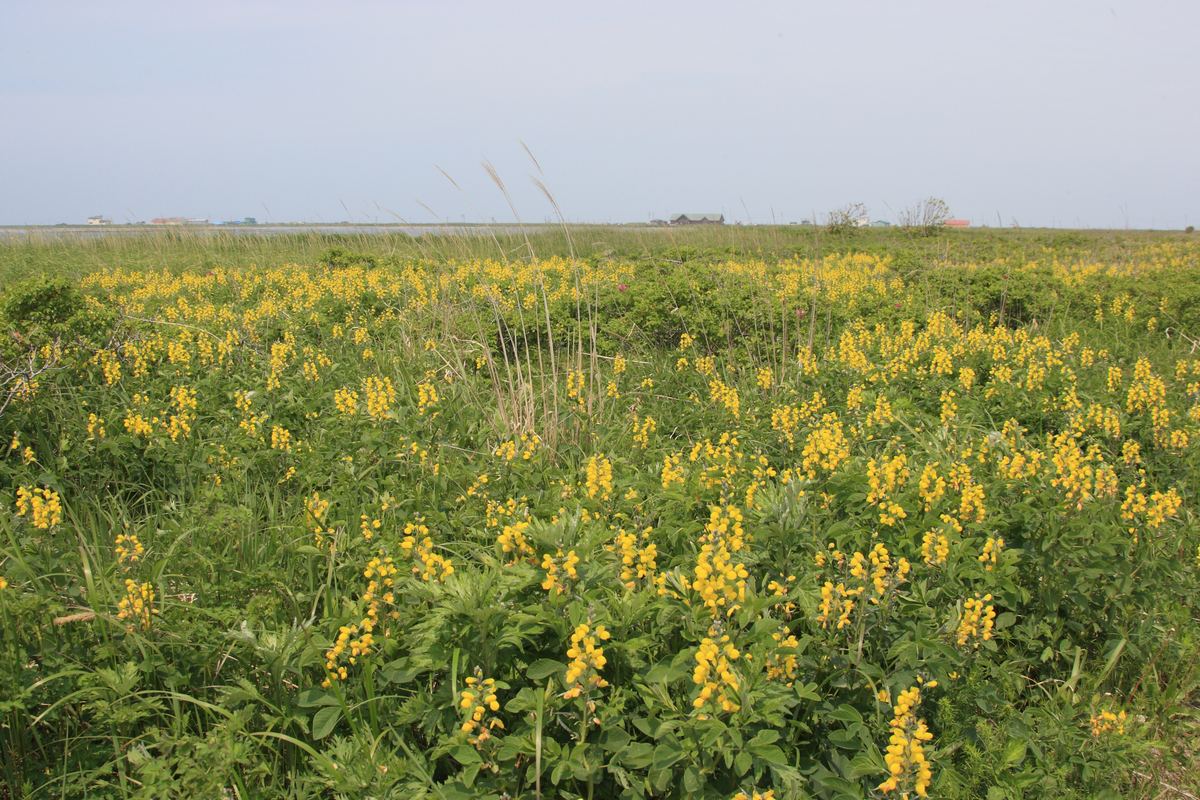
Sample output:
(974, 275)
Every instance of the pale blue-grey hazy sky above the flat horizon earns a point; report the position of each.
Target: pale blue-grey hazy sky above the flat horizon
(1049, 113)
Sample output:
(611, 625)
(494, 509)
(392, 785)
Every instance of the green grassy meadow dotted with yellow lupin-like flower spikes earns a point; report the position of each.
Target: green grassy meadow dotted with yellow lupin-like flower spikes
(592, 513)
